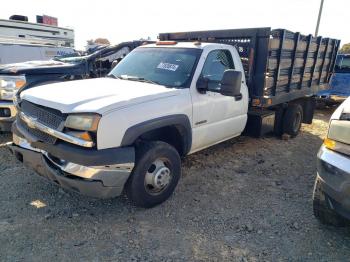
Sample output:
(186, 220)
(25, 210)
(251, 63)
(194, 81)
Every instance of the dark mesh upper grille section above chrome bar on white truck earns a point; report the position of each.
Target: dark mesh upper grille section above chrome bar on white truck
(46, 116)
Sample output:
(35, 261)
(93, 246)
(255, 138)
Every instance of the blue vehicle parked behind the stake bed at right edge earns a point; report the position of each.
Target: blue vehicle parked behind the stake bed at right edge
(340, 83)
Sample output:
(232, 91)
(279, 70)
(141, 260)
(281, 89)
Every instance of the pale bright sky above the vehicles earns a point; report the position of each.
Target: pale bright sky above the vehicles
(131, 20)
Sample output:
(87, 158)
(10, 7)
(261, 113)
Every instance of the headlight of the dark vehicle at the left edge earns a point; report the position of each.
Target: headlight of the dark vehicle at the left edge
(9, 86)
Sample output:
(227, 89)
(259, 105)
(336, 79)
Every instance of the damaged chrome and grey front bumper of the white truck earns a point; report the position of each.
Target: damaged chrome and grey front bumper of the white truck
(95, 176)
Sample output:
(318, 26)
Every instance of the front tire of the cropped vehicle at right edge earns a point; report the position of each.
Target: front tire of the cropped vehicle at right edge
(322, 210)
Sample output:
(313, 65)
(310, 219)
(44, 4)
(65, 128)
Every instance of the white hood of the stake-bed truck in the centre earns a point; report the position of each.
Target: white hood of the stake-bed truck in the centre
(98, 95)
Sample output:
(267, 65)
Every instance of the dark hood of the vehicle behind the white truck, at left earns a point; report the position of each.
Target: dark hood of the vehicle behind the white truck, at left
(36, 67)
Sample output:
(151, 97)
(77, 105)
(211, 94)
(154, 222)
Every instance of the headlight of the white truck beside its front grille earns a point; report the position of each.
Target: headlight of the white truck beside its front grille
(88, 122)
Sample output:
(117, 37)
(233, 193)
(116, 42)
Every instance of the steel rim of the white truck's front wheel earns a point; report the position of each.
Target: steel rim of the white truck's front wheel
(158, 177)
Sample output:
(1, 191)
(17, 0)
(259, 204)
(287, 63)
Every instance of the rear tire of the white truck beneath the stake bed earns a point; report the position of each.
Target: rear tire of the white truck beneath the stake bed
(292, 120)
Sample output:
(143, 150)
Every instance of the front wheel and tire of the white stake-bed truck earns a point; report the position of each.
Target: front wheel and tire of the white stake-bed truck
(155, 175)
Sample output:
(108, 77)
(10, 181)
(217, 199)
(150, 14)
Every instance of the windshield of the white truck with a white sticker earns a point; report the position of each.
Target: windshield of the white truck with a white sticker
(171, 67)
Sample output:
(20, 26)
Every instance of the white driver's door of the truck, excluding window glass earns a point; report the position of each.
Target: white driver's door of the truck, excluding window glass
(225, 118)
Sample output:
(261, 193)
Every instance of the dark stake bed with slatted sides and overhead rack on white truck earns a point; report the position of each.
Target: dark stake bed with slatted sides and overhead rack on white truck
(279, 65)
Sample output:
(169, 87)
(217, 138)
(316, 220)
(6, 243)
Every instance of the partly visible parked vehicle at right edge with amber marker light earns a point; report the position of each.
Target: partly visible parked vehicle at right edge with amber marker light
(331, 198)
